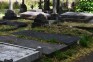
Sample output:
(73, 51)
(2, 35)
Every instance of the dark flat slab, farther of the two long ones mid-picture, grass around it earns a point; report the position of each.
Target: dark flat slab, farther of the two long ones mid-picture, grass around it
(47, 36)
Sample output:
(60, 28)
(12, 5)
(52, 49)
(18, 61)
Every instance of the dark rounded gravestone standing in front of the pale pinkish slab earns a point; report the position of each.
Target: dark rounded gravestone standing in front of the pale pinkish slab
(40, 20)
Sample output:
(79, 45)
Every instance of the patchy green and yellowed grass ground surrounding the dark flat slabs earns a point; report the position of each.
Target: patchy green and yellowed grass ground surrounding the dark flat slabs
(72, 53)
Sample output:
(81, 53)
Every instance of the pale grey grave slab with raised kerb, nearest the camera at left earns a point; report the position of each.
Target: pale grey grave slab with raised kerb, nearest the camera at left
(17, 53)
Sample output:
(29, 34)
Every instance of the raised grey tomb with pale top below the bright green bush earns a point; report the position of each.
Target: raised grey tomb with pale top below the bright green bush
(76, 17)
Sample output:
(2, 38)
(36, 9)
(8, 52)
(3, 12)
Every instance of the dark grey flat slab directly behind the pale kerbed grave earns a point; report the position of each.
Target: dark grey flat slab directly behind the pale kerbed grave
(46, 47)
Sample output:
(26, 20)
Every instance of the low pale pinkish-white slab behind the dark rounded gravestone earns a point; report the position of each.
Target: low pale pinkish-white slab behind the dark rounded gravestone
(31, 14)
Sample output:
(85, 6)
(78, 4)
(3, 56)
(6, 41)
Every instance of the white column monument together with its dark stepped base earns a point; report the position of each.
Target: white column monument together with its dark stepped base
(10, 14)
